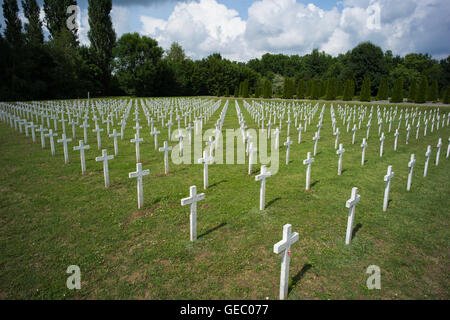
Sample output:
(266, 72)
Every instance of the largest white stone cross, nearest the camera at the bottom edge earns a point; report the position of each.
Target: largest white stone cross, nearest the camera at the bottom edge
(284, 247)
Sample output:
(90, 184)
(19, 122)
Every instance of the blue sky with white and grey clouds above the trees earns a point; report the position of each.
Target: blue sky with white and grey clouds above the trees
(245, 29)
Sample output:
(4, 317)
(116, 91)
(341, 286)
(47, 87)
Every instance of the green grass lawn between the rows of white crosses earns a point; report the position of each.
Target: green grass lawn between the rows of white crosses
(52, 217)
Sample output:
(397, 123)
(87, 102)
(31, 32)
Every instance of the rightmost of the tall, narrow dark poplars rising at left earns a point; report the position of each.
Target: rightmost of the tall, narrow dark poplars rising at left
(102, 38)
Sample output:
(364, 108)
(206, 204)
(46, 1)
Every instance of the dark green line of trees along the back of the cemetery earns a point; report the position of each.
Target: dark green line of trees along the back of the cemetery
(34, 68)
